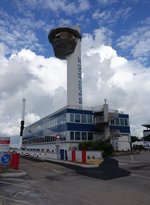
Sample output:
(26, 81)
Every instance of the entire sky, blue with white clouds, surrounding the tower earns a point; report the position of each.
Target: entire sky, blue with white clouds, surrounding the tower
(115, 58)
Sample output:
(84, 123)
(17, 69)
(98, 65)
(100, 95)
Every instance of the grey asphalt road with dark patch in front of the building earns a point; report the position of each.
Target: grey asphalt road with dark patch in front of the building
(119, 181)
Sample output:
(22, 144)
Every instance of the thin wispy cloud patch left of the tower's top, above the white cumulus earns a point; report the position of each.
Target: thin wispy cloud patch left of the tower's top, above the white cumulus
(20, 33)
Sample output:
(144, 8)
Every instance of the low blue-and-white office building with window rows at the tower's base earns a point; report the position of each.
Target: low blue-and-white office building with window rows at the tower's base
(75, 126)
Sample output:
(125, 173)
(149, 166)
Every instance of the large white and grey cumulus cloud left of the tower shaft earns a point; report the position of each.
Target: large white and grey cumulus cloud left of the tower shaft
(26, 75)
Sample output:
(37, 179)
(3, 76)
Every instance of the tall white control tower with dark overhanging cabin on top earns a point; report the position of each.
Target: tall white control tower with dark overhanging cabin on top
(66, 42)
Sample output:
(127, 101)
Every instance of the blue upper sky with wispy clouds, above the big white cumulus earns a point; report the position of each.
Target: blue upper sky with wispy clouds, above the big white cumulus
(27, 23)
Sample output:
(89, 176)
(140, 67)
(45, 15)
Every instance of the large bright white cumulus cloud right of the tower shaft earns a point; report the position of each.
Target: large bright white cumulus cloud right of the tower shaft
(110, 76)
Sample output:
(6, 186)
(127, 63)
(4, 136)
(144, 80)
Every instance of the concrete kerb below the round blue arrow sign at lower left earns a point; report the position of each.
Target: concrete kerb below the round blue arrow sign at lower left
(12, 173)
